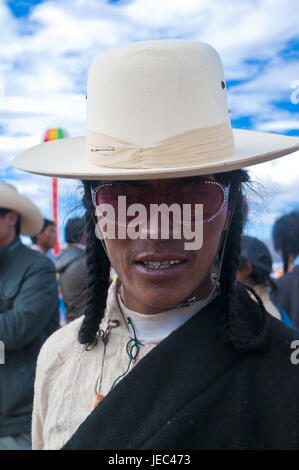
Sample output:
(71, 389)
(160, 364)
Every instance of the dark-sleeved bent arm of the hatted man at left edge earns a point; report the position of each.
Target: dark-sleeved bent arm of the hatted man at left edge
(33, 308)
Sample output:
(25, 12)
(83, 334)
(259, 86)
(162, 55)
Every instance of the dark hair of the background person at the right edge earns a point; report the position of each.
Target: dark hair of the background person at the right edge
(286, 237)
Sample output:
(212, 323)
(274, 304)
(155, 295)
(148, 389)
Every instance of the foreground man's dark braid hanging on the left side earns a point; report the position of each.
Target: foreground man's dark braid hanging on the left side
(98, 277)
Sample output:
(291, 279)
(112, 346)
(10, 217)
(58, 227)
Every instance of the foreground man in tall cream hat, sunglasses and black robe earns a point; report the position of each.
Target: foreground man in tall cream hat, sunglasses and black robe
(169, 356)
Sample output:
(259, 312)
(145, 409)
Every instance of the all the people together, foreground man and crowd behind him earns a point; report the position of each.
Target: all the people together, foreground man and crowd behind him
(182, 349)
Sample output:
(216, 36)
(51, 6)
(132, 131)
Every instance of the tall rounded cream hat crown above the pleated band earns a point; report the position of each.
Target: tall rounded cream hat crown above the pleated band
(145, 92)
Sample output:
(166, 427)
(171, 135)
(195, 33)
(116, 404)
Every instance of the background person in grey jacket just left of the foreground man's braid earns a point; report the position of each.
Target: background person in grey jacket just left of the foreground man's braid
(72, 270)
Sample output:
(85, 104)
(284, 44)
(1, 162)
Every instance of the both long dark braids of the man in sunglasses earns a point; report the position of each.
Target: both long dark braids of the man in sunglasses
(99, 269)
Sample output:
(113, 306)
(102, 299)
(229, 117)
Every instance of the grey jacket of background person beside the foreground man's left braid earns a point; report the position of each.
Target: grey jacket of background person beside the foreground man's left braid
(73, 275)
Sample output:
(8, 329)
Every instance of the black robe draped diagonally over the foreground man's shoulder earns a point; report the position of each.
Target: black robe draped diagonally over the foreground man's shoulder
(195, 391)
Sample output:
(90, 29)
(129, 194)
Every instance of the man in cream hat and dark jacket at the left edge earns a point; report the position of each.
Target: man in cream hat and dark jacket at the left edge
(28, 314)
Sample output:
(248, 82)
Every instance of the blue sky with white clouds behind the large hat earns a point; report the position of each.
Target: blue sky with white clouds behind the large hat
(47, 46)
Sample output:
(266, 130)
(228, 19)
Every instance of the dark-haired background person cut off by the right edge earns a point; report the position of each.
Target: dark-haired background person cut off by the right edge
(286, 242)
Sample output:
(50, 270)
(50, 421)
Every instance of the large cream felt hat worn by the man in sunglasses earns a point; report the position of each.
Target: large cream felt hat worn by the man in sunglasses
(155, 109)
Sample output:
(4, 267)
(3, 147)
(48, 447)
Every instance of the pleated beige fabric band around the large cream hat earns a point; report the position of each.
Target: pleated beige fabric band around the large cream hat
(186, 149)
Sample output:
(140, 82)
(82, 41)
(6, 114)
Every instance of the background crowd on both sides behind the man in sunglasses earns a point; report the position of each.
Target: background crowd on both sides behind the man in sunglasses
(29, 294)
